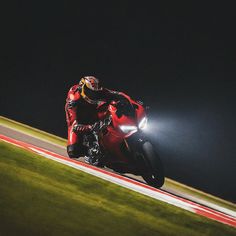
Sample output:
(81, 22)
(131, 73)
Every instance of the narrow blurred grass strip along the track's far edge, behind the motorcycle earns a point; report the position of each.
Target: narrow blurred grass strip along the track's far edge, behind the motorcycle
(168, 182)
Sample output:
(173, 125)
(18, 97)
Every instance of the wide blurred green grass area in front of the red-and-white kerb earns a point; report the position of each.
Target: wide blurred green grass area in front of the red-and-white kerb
(41, 197)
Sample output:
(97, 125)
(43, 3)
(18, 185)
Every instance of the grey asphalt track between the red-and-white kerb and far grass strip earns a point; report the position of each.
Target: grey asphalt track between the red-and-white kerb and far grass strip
(45, 145)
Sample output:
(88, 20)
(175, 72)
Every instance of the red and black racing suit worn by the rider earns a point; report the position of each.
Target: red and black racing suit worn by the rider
(82, 114)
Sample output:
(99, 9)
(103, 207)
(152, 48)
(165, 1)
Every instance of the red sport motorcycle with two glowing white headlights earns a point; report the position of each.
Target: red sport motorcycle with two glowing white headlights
(123, 145)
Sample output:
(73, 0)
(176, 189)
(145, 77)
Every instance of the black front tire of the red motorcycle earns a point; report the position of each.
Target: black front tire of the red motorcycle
(154, 175)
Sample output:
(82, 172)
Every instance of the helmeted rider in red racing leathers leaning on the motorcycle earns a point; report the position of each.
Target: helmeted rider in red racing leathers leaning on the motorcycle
(83, 112)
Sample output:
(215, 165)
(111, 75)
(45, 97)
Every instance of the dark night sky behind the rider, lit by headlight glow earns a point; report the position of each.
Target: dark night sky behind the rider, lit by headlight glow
(179, 59)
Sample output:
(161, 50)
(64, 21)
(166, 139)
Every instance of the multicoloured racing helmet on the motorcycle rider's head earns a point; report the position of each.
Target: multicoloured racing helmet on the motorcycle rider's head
(90, 89)
